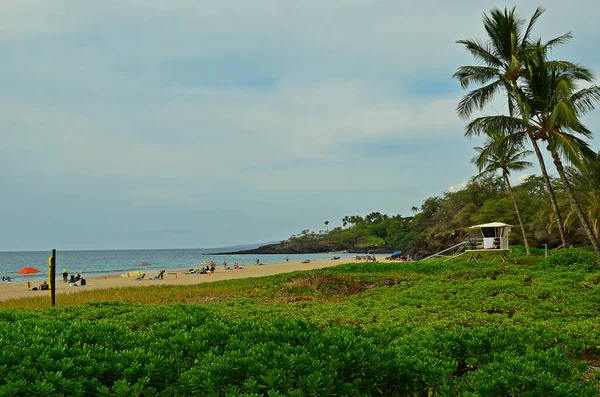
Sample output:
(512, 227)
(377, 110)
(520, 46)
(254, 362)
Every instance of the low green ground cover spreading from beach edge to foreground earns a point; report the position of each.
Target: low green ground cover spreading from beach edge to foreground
(528, 328)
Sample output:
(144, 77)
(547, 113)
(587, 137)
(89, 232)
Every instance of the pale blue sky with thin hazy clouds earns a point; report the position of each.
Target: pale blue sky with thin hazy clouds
(195, 124)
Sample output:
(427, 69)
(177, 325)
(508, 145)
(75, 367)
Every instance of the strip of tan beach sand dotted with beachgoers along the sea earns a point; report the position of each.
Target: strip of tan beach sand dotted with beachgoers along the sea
(171, 277)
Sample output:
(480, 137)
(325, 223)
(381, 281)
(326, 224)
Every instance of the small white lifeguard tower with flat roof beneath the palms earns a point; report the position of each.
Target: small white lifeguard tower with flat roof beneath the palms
(493, 240)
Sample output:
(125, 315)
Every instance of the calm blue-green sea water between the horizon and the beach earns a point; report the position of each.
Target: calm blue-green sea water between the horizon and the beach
(99, 263)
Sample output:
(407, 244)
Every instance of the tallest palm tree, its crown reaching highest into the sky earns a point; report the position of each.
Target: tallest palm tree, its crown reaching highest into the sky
(502, 67)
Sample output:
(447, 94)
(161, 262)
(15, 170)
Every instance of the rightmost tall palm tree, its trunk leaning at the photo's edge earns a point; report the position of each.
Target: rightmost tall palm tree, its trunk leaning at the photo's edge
(551, 113)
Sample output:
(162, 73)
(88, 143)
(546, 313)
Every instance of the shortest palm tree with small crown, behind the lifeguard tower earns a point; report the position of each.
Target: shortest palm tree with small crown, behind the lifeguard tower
(501, 153)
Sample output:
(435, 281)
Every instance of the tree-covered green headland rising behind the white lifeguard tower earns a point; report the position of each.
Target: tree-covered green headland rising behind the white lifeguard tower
(443, 220)
